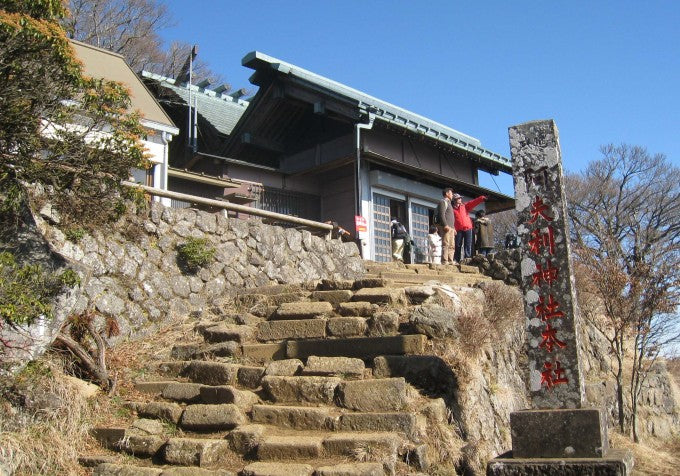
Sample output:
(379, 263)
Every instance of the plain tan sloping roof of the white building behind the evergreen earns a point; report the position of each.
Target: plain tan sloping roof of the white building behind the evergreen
(101, 63)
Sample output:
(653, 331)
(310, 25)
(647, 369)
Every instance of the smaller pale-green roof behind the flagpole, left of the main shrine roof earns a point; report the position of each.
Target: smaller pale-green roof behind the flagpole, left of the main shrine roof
(221, 110)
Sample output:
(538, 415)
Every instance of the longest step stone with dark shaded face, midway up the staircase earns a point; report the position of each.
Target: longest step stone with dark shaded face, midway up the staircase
(362, 347)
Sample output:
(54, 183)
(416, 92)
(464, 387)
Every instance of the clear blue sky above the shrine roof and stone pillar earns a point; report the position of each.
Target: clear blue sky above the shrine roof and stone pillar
(605, 71)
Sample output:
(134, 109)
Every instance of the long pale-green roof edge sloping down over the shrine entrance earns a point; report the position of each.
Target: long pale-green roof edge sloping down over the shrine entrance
(265, 65)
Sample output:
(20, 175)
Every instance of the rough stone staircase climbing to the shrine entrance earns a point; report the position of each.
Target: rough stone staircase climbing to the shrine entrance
(291, 381)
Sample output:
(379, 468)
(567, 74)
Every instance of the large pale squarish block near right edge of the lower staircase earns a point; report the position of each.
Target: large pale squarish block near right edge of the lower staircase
(374, 395)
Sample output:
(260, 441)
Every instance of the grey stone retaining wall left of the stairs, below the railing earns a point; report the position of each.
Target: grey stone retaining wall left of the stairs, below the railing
(140, 283)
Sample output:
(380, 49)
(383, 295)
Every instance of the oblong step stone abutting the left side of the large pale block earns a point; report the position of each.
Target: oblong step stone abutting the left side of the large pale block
(315, 390)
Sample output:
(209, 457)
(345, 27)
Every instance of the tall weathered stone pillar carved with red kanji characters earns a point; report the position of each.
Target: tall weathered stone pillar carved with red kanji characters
(547, 280)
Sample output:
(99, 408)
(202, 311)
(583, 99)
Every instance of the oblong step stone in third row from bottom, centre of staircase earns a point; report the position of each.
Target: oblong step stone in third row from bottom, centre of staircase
(300, 418)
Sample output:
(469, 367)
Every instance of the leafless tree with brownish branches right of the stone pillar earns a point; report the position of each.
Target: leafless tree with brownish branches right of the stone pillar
(625, 224)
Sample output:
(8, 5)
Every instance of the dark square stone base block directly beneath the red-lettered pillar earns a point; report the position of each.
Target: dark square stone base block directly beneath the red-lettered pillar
(558, 433)
